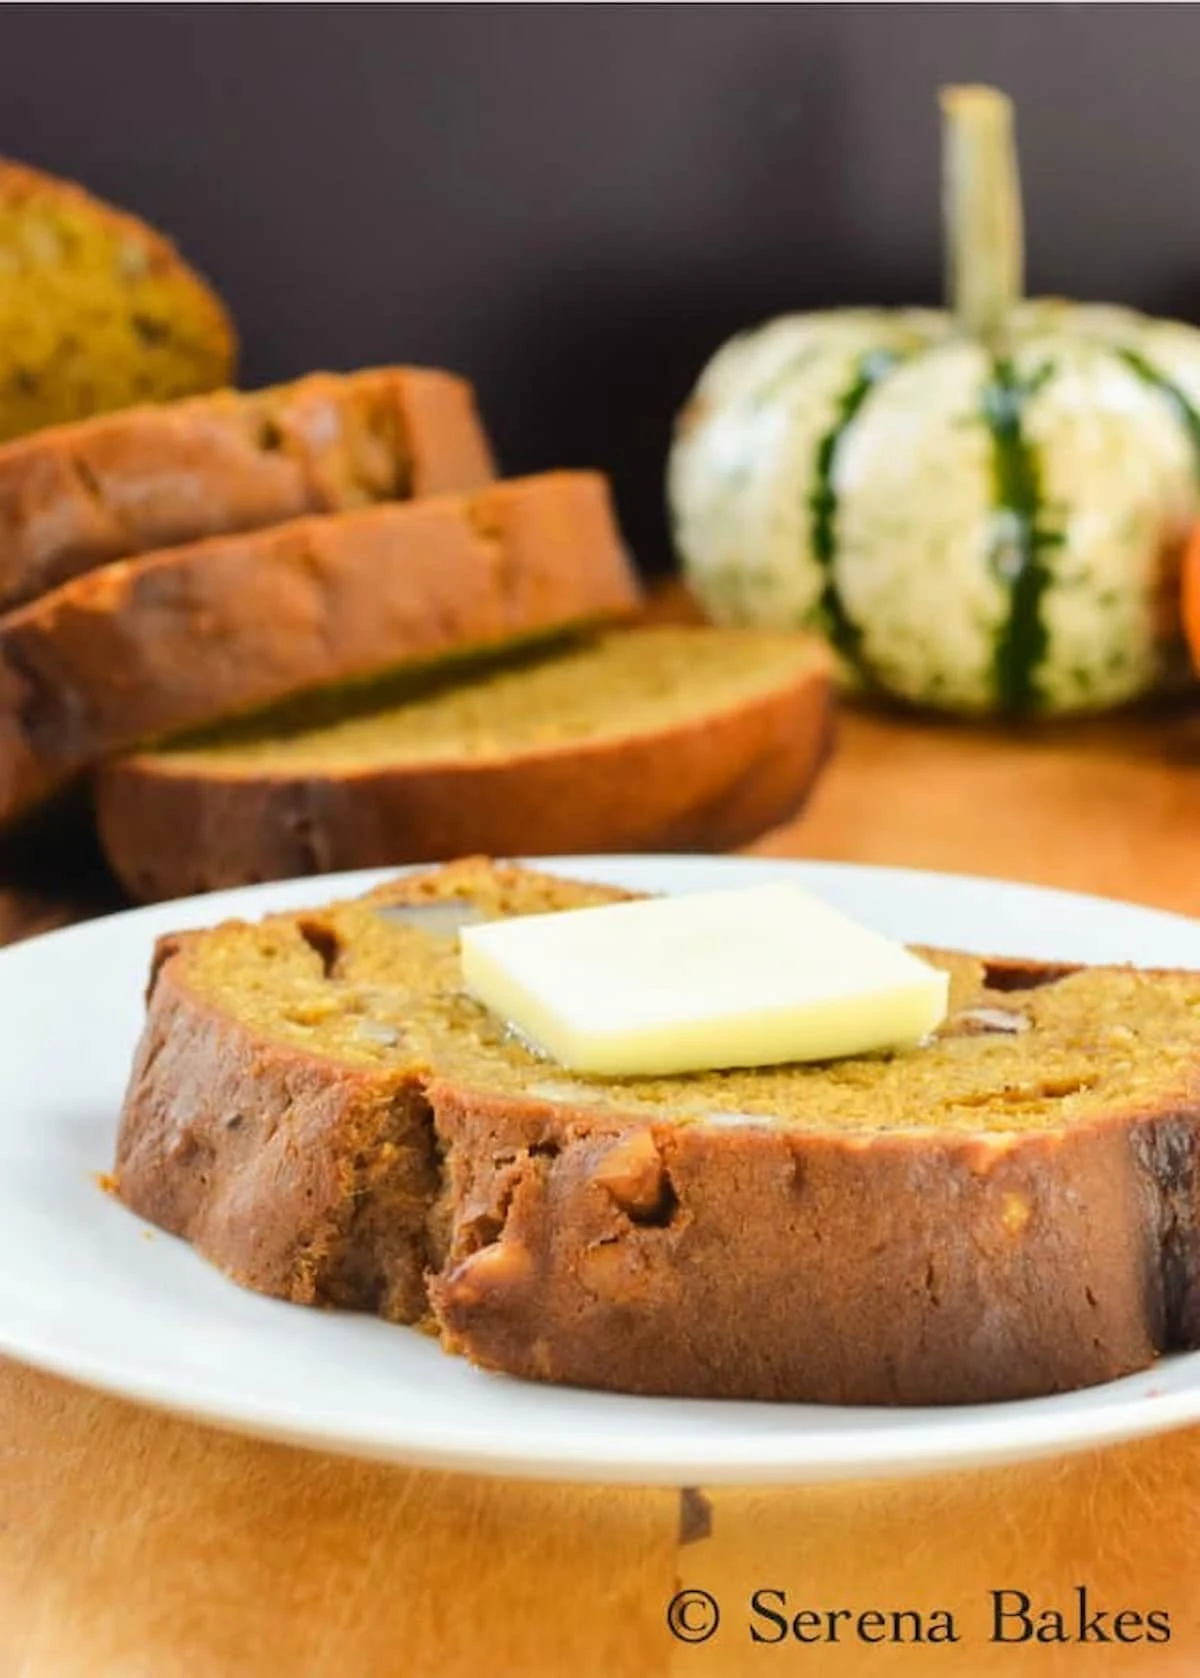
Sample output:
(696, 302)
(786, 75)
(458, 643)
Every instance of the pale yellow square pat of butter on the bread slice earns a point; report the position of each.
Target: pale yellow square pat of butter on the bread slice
(749, 977)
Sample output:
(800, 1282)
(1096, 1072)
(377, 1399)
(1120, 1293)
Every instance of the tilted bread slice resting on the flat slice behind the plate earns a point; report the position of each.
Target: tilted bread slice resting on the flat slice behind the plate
(196, 635)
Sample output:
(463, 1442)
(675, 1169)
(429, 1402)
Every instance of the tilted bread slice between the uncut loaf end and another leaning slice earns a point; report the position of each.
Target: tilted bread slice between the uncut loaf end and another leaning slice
(80, 496)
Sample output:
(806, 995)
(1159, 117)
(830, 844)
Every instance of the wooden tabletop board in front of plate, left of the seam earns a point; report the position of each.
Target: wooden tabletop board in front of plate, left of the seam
(135, 1545)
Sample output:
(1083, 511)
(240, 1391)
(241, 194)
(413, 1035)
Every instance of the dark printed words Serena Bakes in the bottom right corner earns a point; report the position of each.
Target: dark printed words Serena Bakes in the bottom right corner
(1013, 1617)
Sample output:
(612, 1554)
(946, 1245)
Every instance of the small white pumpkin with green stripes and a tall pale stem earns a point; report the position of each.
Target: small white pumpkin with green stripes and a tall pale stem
(983, 509)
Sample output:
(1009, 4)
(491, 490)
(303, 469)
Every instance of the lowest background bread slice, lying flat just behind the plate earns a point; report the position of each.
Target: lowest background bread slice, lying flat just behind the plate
(640, 741)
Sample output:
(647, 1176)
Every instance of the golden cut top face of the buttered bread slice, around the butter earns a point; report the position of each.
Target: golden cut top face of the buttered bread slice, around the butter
(1100, 1038)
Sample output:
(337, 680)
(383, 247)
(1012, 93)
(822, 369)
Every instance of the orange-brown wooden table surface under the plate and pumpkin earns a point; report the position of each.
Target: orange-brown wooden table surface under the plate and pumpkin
(137, 1545)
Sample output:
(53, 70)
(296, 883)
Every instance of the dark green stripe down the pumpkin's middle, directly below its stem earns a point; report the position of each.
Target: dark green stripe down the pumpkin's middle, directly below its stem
(1023, 538)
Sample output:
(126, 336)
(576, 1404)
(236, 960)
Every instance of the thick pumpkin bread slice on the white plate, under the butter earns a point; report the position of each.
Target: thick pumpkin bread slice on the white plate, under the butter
(1006, 1211)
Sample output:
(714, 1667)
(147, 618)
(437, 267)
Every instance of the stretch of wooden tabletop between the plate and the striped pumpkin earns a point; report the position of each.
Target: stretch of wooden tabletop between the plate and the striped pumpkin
(1107, 808)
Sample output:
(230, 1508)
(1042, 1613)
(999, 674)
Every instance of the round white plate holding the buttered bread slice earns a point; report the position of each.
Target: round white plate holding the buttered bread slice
(90, 1291)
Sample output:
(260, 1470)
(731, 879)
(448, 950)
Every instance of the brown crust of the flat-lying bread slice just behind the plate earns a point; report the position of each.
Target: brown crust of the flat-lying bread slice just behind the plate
(174, 825)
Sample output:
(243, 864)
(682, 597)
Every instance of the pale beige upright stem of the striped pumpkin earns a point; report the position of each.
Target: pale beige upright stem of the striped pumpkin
(981, 202)
